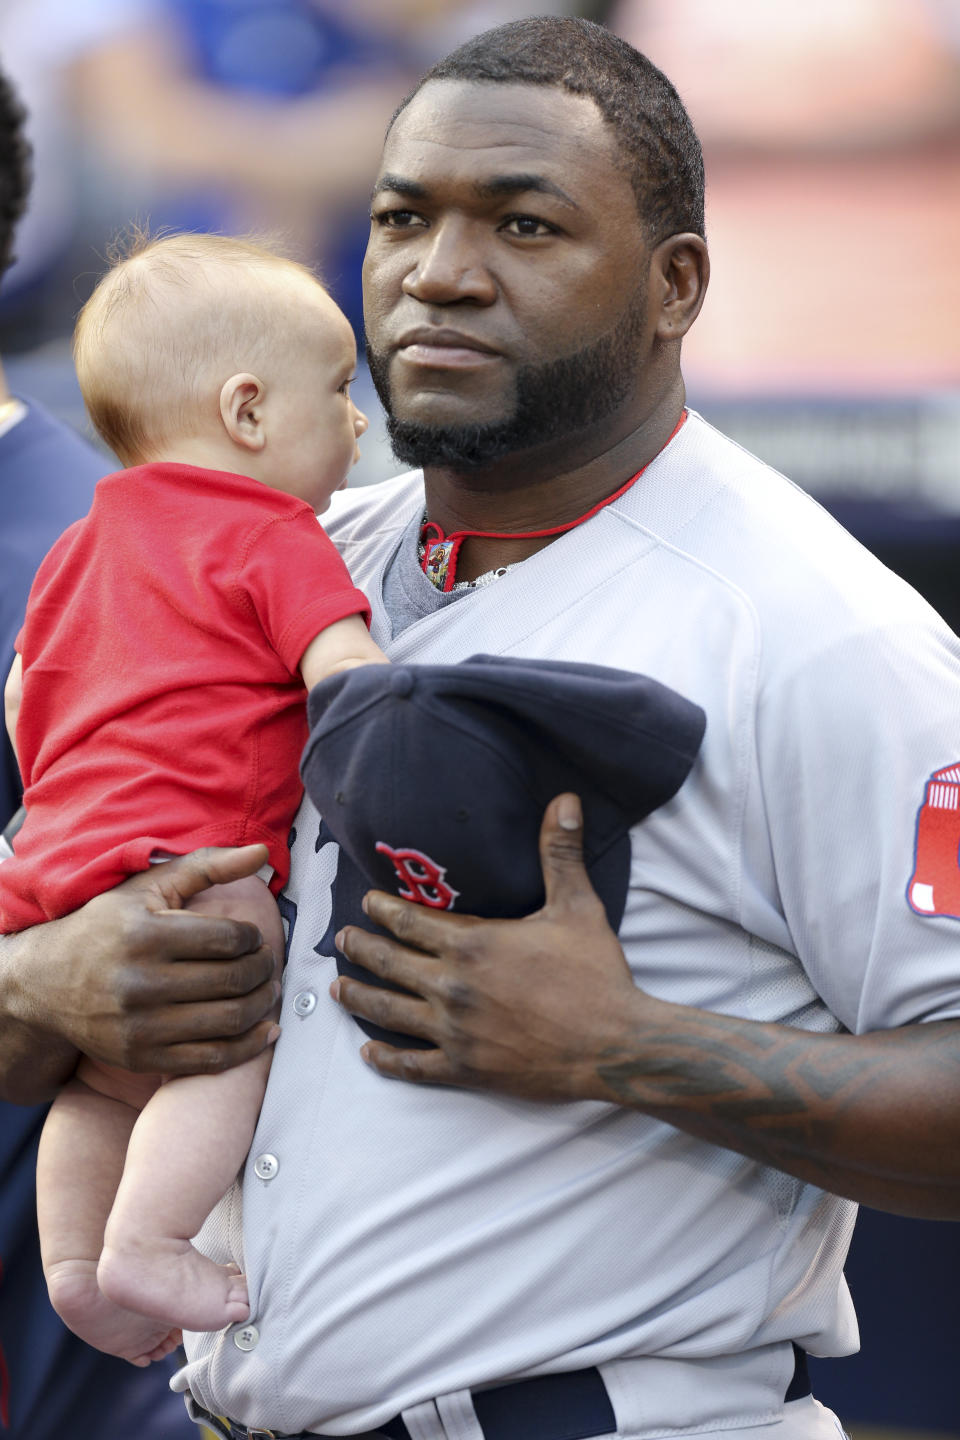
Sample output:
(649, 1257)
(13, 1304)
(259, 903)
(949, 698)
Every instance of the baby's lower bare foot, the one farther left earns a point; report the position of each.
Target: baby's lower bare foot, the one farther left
(109, 1327)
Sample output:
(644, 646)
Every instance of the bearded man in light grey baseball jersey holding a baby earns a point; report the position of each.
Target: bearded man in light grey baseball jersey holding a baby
(656, 1254)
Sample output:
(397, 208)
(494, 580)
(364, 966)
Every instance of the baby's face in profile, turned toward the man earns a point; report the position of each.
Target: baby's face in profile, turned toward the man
(314, 424)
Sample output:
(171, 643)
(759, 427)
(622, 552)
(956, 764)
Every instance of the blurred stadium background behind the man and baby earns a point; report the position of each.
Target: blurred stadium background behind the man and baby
(830, 343)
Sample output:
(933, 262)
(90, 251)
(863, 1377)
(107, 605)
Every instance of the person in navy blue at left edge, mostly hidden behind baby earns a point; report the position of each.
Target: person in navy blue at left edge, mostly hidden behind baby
(51, 1385)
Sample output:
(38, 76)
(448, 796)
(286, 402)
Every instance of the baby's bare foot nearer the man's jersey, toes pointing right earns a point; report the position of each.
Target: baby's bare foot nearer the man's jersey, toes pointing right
(173, 1282)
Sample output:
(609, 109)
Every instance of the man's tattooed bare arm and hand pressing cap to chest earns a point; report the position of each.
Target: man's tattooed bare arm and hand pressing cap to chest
(546, 1009)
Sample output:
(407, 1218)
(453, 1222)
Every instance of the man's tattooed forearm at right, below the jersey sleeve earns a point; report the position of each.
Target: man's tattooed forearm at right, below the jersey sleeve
(874, 1118)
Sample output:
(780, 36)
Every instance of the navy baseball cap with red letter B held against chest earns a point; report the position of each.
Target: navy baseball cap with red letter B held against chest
(434, 780)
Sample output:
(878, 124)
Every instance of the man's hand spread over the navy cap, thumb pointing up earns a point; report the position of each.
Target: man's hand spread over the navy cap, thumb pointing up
(529, 1007)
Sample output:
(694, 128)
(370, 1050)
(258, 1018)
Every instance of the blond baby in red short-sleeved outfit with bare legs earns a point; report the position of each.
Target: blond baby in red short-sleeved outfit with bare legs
(171, 642)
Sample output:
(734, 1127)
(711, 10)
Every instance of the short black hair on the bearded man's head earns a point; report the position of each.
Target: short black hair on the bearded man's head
(656, 140)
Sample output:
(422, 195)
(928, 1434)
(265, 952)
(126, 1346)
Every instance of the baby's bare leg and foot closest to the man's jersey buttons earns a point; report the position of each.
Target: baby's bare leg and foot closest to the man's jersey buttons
(184, 1154)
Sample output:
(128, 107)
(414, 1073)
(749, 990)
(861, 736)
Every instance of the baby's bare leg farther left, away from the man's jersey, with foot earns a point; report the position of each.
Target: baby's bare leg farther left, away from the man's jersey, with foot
(78, 1170)
